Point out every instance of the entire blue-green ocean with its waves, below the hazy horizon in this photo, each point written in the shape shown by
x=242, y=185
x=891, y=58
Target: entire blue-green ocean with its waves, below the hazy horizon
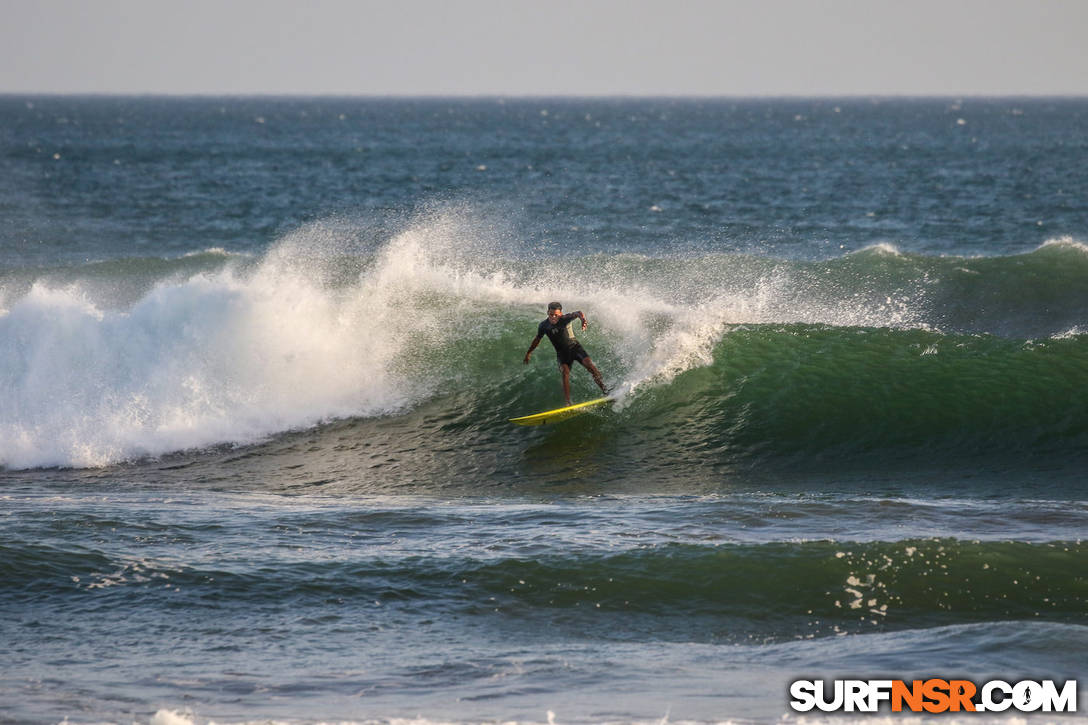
x=258, y=358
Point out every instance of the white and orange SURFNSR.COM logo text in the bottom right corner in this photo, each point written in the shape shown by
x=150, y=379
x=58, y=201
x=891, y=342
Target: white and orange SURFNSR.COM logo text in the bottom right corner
x=933, y=696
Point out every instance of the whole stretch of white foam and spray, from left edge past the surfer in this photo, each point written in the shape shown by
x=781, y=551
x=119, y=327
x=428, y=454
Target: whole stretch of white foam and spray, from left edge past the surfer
x=287, y=342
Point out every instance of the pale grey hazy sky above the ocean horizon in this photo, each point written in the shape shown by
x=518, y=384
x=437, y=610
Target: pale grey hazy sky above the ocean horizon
x=547, y=47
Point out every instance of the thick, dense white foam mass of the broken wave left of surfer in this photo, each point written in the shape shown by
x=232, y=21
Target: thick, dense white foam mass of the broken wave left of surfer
x=219, y=358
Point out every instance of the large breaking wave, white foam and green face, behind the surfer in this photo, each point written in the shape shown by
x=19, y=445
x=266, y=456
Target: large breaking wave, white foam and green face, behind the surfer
x=137, y=359
